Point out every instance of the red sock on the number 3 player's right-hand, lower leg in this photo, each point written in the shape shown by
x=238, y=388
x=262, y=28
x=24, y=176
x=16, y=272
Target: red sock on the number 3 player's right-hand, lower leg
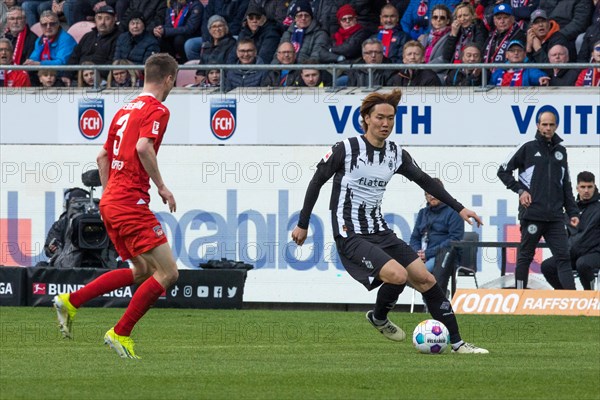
x=143, y=298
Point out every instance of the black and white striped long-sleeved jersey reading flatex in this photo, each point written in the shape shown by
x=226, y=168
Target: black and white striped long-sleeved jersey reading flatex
x=361, y=174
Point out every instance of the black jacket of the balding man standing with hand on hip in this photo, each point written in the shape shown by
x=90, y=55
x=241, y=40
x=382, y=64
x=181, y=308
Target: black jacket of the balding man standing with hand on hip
x=544, y=167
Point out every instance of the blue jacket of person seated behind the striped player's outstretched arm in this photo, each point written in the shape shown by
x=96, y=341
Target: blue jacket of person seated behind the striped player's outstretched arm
x=442, y=225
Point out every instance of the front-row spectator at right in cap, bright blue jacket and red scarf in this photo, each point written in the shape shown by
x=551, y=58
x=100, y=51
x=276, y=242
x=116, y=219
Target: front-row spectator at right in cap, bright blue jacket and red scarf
x=515, y=54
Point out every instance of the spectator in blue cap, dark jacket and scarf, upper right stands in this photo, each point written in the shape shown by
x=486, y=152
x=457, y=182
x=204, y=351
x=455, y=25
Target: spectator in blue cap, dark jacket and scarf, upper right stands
x=505, y=31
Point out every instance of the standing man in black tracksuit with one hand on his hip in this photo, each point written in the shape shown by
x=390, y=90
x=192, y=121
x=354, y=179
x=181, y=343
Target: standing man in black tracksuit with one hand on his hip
x=545, y=191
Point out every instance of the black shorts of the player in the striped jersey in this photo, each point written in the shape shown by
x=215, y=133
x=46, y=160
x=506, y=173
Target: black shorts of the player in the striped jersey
x=364, y=255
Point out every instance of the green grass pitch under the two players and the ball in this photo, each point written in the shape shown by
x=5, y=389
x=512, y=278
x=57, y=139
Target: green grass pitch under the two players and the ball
x=260, y=354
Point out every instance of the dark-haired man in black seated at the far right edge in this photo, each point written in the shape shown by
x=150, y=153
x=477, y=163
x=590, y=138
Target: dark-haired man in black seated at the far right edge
x=584, y=240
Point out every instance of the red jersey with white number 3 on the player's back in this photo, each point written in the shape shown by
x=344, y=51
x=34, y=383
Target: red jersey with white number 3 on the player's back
x=128, y=181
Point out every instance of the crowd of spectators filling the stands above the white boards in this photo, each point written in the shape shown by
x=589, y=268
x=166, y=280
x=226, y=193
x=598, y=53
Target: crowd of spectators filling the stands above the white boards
x=251, y=32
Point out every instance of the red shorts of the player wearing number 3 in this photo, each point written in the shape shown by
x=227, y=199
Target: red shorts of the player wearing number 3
x=133, y=229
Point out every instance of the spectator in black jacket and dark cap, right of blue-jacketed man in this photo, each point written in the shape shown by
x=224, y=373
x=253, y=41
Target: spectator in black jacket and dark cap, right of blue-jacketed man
x=98, y=45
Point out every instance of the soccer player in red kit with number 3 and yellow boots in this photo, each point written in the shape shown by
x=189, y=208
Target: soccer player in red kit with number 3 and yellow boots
x=126, y=163
